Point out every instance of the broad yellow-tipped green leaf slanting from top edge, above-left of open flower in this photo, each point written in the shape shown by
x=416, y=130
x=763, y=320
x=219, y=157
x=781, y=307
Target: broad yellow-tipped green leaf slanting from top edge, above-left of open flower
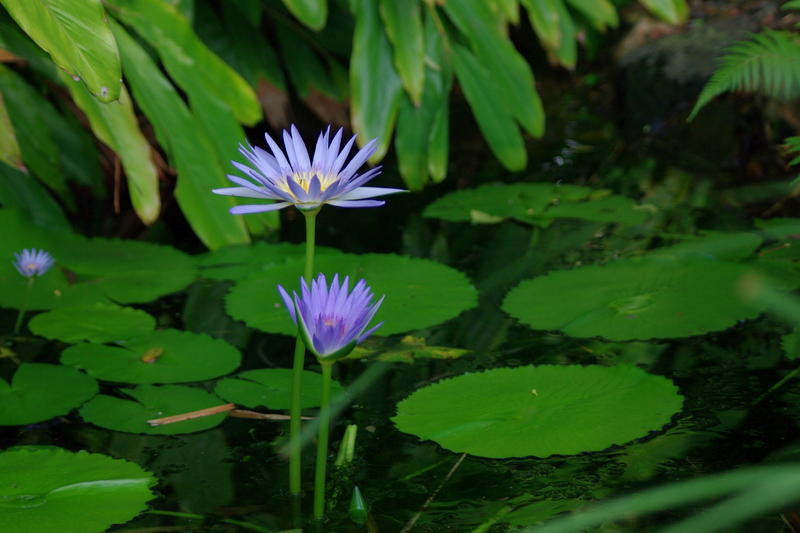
x=187, y=60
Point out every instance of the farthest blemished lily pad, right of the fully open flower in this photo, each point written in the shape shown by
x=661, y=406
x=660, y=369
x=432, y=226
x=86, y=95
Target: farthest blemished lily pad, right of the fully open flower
x=534, y=203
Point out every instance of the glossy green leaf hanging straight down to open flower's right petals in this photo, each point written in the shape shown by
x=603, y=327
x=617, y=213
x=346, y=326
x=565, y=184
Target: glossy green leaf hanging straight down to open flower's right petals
x=375, y=86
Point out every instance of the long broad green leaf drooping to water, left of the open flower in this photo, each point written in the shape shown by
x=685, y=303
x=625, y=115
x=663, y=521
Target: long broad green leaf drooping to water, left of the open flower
x=190, y=151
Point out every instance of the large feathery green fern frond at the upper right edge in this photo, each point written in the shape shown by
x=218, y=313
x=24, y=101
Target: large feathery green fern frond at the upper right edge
x=766, y=62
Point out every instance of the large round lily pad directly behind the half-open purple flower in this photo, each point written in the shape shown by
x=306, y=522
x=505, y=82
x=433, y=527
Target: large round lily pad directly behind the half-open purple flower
x=419, y=293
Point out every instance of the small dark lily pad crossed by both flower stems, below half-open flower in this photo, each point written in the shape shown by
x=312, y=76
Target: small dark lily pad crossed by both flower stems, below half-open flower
x=272, y=388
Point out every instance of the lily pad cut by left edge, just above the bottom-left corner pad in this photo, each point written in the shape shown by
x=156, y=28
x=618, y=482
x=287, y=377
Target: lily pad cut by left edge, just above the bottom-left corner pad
x=40, y=391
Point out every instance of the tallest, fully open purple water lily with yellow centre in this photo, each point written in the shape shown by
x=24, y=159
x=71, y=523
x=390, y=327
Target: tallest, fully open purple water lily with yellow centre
x=306, y=184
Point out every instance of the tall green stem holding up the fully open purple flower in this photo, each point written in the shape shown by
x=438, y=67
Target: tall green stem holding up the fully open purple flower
x=295, y=444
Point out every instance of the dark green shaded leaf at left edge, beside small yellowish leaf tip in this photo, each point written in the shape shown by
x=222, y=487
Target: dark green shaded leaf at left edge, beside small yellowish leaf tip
x=27, y=110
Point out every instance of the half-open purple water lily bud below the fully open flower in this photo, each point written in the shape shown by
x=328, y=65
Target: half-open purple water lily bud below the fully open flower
x=332, y=320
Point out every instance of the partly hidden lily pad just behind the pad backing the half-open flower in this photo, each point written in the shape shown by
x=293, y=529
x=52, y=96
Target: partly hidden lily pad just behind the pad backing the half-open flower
x=241, y=261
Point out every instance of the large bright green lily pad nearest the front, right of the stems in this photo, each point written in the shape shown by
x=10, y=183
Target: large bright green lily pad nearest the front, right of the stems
x=540, y=410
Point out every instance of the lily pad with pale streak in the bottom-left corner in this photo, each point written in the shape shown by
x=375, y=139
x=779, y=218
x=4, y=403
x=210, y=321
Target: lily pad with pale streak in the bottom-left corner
x=51, y=489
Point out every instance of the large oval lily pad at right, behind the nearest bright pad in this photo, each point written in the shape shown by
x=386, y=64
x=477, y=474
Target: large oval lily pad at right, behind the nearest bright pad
x=656, y=297
